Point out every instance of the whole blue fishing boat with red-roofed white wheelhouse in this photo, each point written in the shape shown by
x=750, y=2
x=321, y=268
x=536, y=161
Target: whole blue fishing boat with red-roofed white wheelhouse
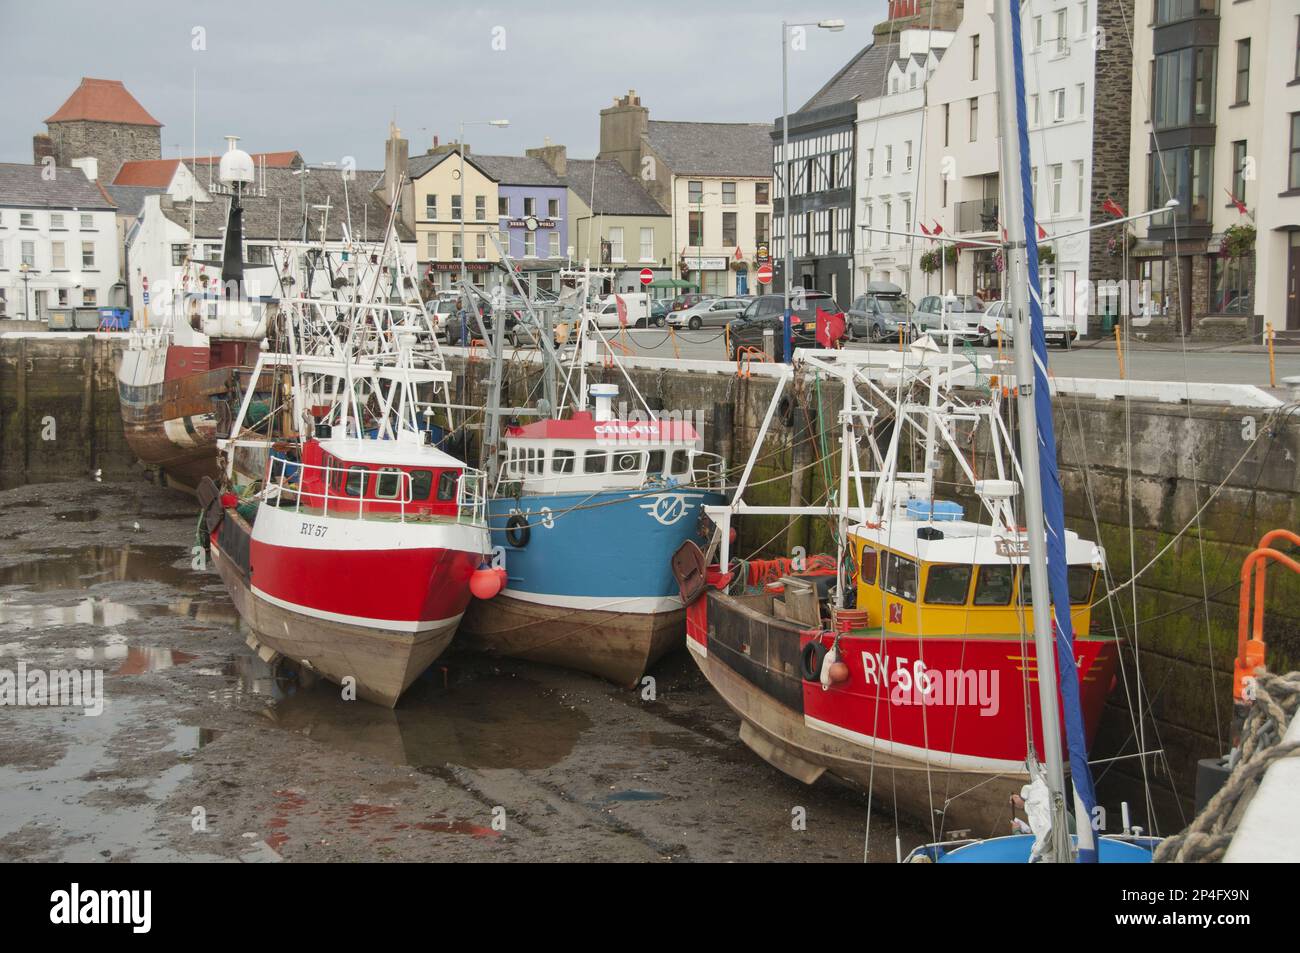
x=587, y=509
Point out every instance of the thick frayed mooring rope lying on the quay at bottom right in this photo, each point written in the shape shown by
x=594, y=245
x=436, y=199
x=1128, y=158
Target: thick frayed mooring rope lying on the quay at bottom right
x=1207, y=839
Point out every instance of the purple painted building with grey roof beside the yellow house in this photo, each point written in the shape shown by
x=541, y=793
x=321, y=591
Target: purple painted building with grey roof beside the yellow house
x=532, y=215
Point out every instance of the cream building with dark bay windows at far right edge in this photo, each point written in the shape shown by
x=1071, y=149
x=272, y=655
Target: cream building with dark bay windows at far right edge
x=1219, y=124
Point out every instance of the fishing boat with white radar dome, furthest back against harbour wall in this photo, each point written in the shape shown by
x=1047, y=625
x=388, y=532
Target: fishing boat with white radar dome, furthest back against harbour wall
x=174, y=376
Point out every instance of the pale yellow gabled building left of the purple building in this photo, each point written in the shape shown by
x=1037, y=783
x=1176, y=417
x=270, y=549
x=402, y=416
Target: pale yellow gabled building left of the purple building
x=436, y=180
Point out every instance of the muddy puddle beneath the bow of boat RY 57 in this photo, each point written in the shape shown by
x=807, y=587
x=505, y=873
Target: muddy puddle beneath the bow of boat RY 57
x=480, y=722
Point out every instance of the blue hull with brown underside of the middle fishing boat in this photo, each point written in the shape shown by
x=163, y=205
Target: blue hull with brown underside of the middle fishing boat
x=592, y=587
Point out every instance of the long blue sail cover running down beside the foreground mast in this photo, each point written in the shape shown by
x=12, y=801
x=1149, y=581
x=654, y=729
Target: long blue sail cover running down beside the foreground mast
x=1054, y=504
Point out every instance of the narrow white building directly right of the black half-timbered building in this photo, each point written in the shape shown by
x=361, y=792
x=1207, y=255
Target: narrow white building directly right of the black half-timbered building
x=890, y=171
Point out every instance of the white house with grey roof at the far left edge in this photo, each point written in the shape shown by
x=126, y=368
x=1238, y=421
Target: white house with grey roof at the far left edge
x=58, y=242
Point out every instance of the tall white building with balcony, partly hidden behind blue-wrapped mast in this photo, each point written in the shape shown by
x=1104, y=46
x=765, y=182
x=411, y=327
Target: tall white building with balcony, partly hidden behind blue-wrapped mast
x=961, y=189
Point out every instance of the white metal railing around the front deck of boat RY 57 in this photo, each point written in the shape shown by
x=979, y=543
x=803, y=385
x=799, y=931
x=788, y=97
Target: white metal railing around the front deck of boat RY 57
x=285, y=488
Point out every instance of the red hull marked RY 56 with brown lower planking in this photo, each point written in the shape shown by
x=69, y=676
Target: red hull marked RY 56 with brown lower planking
x=869, y=737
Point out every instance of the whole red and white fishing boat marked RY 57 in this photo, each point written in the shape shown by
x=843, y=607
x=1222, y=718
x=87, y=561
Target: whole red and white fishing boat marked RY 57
x=354, y=551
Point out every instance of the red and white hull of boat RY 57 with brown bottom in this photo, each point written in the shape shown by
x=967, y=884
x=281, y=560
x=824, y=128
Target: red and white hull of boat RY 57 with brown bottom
x=322, y=608
